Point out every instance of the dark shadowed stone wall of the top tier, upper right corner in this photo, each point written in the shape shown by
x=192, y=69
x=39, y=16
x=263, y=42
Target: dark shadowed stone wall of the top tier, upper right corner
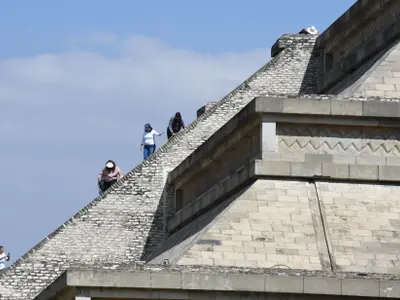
x=362, y=32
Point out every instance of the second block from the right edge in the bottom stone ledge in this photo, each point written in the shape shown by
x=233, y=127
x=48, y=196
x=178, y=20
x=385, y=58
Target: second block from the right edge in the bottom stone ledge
x=361, y=288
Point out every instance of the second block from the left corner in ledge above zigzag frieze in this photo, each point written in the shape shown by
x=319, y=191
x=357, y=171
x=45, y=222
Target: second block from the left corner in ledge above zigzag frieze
x=306, y=106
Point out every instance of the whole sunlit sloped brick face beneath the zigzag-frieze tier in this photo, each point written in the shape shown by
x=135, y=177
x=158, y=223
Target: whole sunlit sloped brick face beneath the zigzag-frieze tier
x=299, y=225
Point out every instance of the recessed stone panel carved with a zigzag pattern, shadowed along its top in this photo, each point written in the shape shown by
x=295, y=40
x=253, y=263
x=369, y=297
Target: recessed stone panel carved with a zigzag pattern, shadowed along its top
x=339, y=144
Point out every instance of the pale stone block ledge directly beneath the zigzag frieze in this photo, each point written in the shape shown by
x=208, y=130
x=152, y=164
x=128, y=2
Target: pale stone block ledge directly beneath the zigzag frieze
x=327, y=170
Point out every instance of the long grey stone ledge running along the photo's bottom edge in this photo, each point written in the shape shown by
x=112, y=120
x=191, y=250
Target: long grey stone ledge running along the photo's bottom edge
x=217, y=281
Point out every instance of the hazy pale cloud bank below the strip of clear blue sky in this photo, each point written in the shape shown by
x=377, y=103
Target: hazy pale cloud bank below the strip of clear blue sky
x=65, y=114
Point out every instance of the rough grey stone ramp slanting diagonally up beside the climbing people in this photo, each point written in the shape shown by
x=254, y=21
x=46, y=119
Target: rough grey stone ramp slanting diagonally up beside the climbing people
x=128, y=220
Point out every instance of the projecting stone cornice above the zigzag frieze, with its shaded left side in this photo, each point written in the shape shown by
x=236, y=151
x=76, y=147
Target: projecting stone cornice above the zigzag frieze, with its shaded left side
x=311, y=110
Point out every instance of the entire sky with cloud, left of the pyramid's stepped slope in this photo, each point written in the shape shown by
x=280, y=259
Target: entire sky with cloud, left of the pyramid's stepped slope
x=78, y=79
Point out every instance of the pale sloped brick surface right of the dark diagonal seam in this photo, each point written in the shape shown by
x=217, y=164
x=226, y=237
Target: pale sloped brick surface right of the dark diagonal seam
x=363, y=226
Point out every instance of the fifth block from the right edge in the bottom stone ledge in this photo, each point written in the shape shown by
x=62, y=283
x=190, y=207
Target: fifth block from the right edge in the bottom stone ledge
x=245, y=282
